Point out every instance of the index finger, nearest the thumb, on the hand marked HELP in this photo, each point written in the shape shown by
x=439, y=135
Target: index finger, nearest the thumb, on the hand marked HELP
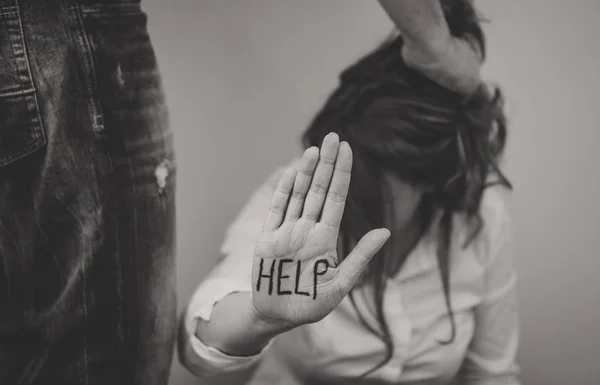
x=335, y=201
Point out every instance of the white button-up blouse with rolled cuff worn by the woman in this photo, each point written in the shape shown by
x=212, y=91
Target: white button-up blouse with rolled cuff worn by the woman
x=483, y=295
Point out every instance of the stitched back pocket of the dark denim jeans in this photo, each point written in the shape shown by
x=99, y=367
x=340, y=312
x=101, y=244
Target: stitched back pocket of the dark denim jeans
x=21, y=130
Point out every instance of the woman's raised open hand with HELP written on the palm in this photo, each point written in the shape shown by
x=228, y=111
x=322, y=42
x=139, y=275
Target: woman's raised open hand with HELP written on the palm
x=296, y=275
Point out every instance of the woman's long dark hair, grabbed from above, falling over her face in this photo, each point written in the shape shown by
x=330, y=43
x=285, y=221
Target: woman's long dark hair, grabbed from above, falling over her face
x=397, y=119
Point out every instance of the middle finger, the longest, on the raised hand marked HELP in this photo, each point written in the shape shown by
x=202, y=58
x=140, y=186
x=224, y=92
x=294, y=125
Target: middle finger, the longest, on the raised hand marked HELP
x=322, y=178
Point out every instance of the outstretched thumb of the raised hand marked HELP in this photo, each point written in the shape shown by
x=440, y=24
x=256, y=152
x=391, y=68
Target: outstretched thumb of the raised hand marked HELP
x=353, y=265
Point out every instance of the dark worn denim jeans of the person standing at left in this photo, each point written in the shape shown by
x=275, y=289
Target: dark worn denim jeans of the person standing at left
x=87, y=187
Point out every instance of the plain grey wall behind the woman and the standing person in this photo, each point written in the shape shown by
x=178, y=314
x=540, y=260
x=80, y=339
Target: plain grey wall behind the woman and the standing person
x=243, y=78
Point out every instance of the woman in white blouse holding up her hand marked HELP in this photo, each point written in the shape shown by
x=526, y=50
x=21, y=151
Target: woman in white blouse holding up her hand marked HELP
x=427, y=297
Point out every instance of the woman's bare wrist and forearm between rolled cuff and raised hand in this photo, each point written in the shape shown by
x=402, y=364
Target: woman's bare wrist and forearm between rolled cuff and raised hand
x=234, y=329
